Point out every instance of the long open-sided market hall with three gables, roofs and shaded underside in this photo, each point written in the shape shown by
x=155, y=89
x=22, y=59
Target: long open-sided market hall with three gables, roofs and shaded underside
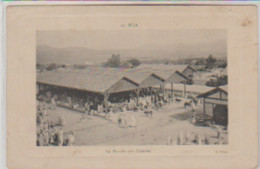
x=101, y=83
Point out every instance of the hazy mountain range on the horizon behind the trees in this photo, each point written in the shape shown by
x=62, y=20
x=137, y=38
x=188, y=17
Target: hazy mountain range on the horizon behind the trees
x=80, y=55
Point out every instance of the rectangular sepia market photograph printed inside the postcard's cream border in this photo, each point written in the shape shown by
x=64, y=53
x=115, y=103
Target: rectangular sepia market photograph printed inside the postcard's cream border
x=132, y=87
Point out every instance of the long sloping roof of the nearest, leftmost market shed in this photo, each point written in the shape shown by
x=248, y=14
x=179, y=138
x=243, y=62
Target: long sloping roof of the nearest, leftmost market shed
x=98, y=80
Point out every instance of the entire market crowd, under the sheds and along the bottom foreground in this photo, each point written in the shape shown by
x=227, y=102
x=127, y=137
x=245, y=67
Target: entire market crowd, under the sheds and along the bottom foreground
x=116, y=109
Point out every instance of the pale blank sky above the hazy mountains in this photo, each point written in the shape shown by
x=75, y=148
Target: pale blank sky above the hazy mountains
x=139, y=43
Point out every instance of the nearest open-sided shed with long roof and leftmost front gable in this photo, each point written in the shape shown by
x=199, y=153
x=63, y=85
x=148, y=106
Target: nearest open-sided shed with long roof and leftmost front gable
x=97, y=82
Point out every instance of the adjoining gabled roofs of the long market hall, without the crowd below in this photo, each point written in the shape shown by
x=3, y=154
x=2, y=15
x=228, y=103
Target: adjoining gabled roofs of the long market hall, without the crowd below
x=103, y=79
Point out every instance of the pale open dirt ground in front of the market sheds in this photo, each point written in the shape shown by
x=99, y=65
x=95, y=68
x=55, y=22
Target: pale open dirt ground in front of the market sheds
x=167, y=122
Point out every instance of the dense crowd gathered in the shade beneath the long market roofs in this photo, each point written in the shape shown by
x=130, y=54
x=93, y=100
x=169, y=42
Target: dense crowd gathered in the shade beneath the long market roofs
x=94, y=103
